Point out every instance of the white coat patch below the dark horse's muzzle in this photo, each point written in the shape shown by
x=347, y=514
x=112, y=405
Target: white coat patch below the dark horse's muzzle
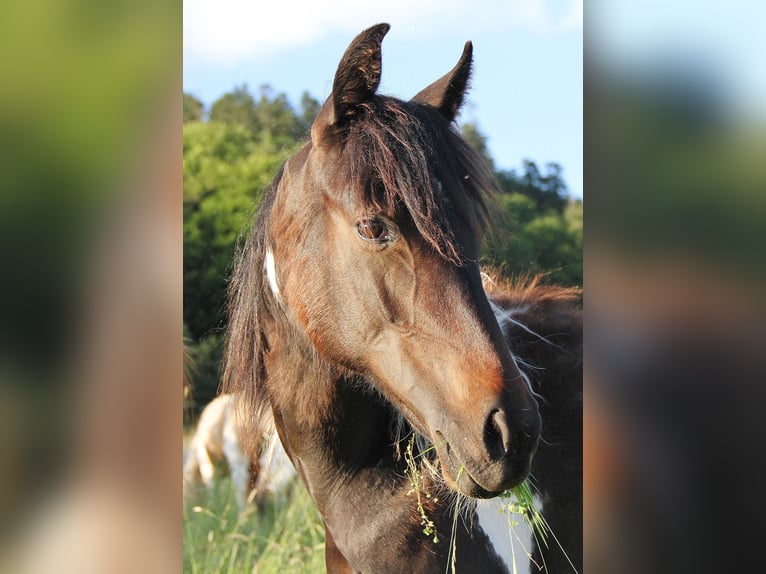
x=514, y=544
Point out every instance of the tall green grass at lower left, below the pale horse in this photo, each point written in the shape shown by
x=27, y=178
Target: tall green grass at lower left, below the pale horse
x=285, y=536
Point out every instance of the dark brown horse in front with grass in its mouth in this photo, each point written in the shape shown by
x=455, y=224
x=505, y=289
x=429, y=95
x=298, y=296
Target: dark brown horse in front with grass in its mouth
x=359, y=321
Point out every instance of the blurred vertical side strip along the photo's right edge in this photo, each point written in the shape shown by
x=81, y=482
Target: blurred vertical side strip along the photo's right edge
x=675, y=111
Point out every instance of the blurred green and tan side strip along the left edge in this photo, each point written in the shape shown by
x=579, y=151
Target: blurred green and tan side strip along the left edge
x=90, y=288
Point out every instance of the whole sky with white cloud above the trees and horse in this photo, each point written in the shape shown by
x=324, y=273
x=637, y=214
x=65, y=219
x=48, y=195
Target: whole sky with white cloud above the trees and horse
x=526, y=92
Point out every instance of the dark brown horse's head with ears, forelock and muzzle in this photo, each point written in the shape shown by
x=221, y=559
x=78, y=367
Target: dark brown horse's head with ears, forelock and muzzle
x=373, y=248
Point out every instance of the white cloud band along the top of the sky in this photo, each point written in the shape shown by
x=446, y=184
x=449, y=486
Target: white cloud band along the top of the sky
x=230, y=30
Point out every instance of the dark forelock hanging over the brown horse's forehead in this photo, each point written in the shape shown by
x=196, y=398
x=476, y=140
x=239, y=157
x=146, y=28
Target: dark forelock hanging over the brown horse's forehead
x=406, y=154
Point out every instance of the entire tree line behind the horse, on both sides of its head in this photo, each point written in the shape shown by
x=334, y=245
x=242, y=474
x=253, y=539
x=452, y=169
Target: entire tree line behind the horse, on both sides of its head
x=231, y=152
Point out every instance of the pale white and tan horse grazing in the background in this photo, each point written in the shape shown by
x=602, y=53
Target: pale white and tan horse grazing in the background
x=217, y=438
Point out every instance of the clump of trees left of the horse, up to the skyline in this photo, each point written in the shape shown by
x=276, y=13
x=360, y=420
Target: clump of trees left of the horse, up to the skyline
x=228, y=162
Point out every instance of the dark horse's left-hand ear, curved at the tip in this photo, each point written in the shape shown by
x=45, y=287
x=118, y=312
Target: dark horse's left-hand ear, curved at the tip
x=356, y=80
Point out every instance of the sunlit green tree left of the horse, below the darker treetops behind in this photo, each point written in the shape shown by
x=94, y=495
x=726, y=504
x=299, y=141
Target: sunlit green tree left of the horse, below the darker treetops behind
x=226, y=170
